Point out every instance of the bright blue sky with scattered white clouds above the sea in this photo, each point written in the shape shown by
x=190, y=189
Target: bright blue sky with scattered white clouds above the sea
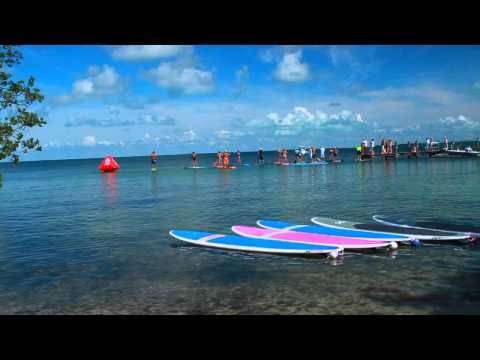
x=175, y=99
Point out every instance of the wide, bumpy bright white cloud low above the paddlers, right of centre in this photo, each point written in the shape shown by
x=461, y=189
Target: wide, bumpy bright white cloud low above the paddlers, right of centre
x=301, y=120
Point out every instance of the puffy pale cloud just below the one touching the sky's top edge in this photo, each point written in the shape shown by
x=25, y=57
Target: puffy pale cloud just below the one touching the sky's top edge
x=181, y=80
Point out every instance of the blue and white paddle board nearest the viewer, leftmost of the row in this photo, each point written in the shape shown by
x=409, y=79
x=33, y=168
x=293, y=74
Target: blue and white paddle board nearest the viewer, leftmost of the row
x=232, y=242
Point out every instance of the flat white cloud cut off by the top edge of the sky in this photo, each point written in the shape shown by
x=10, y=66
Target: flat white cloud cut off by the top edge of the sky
x=148, y=52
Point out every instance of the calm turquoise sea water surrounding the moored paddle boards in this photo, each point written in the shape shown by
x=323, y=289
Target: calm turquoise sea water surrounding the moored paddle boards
x=75, y=241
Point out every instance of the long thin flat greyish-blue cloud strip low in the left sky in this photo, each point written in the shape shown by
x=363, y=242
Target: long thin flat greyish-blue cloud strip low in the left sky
x=147, y=119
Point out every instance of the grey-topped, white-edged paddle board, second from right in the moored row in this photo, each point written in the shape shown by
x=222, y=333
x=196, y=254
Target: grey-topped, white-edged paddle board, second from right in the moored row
x=423, y=235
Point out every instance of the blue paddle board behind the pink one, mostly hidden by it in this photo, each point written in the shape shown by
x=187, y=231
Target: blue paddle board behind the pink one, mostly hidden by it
x=318, y=229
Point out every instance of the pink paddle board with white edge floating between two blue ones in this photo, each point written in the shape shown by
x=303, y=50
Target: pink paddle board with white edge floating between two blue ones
x=311, y=238
